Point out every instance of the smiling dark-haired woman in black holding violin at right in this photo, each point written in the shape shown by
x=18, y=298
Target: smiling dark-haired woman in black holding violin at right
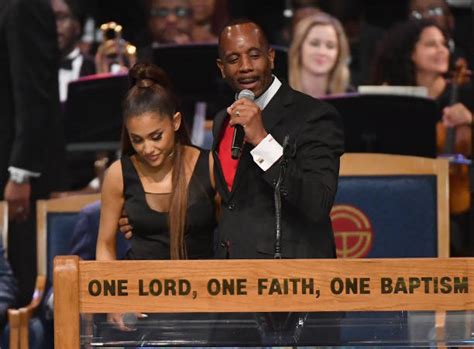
x=415, y=53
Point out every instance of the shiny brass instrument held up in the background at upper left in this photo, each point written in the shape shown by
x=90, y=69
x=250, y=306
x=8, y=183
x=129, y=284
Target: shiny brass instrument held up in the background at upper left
x=114, y=54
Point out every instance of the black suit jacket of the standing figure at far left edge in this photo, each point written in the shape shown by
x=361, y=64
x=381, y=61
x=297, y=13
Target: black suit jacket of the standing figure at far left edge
x=30, y=129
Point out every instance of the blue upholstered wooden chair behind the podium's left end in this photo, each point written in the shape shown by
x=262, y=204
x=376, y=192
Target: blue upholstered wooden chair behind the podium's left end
x=56, y=219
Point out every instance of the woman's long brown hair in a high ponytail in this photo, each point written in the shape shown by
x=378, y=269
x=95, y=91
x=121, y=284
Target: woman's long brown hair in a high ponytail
x=151, y=91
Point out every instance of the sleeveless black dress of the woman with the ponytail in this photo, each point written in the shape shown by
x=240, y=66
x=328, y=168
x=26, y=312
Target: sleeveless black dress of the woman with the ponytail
x=151, y=238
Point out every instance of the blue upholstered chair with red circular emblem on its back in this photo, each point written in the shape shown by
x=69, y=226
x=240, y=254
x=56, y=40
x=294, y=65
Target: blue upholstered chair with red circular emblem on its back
x=390, y=206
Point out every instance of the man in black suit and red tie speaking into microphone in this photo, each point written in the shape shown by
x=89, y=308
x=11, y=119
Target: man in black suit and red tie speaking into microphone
x=247, y=219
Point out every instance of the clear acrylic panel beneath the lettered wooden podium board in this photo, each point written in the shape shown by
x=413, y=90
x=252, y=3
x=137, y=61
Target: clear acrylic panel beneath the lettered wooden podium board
x=331, y=329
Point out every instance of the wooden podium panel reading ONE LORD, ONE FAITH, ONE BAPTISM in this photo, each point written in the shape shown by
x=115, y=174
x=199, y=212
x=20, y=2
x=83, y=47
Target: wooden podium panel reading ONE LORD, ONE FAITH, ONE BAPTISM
x=276, y=285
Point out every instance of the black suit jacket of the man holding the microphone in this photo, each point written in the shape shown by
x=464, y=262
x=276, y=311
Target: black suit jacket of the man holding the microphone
x=247, y=219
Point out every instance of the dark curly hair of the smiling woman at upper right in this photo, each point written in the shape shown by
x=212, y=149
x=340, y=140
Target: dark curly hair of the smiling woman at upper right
x=393, y=63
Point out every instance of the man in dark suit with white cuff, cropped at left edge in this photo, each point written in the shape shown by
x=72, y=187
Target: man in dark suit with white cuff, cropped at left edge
x=30, y=129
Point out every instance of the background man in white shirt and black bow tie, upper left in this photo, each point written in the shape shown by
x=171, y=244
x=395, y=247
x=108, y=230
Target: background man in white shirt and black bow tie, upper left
x=74, y=64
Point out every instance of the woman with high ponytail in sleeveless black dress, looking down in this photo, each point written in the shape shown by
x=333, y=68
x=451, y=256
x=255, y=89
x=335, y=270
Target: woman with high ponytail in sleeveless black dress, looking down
x=164, y=184
